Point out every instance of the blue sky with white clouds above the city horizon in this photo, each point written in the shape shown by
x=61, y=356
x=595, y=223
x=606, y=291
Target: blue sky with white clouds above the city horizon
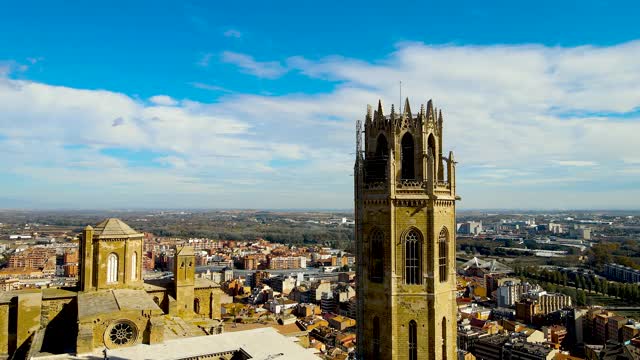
x=253, y=105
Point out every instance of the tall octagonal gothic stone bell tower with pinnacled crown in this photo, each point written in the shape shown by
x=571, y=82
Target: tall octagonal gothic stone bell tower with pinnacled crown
x=405, y=198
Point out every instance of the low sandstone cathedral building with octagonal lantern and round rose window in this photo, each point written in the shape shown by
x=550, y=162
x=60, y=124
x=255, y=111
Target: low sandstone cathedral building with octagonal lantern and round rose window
x=113, y=306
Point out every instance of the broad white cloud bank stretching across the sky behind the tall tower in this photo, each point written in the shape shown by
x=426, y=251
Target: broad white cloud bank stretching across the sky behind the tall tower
x=545, y=121
